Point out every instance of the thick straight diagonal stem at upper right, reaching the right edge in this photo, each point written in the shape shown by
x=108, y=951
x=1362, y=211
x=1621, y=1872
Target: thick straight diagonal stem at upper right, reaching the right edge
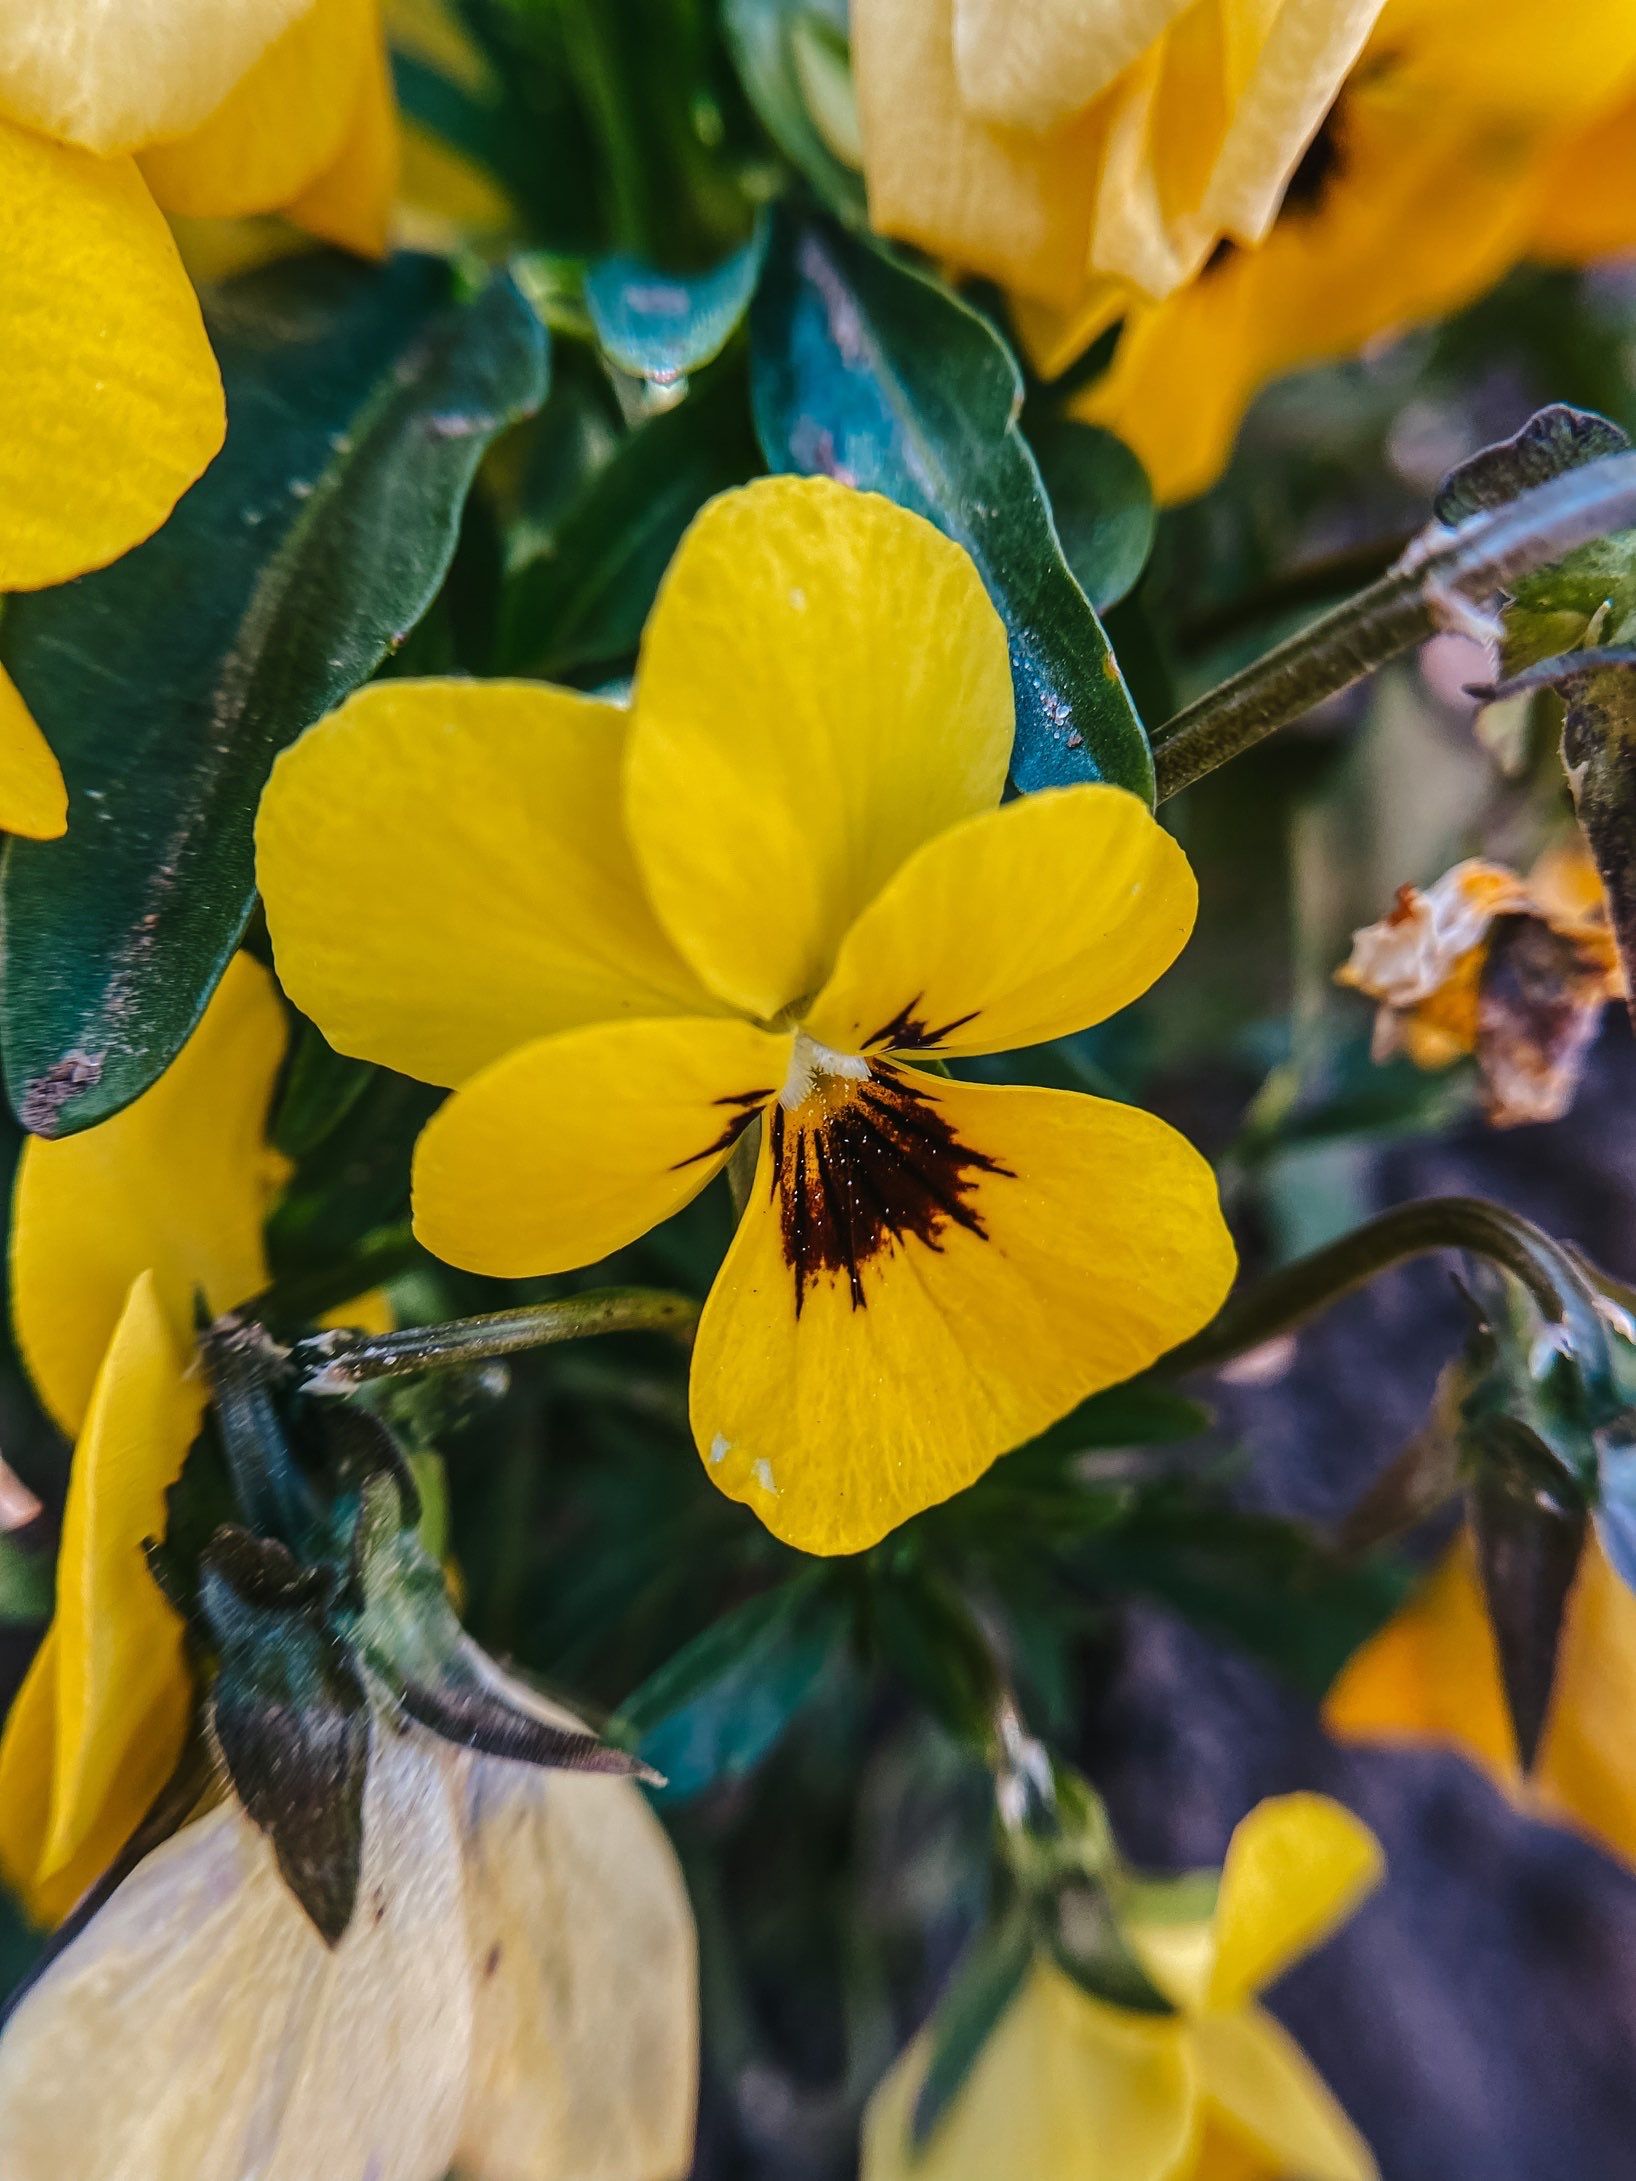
x=1441, y=575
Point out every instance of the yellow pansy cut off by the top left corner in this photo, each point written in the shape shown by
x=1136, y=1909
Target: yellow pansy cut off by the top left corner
x=110, y=119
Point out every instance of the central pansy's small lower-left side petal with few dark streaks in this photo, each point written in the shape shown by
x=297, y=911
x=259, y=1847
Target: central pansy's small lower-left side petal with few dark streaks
x=575, y=1146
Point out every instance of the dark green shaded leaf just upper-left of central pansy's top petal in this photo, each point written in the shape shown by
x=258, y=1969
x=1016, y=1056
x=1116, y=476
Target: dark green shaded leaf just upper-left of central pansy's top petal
x=581, y=605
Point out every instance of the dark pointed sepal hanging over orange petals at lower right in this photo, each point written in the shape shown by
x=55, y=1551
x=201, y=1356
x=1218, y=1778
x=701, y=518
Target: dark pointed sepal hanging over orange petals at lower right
x=1530, y=1530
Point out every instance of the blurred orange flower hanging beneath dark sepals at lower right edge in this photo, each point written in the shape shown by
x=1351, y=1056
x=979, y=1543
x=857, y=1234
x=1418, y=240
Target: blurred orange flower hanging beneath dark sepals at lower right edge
x=1432, y=1678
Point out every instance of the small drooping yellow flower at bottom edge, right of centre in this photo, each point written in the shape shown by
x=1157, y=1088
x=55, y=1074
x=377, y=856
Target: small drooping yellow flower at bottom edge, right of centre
x=1076, y=2090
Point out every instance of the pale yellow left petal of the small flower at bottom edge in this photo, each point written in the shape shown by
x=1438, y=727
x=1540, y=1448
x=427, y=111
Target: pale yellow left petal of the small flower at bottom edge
x=1066, y=2090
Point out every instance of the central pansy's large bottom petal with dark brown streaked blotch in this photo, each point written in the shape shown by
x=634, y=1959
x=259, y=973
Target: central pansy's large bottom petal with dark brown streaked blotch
x=928, y=1275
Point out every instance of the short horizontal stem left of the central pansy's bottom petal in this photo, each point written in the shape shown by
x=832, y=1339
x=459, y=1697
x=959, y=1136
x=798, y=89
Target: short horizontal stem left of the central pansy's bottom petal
x=339, y=1362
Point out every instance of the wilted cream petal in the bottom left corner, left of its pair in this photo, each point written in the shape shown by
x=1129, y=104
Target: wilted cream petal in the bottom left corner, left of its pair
x=200, y=2027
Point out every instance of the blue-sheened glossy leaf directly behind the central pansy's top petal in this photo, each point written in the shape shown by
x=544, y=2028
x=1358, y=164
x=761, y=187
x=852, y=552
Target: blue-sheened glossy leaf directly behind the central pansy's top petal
x=878, y=376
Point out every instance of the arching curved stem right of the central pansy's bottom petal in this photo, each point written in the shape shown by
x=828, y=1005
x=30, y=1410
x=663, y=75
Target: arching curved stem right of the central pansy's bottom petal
x=1301, y=1292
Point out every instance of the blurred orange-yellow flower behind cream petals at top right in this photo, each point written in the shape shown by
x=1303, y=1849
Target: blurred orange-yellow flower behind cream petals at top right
x=1463, y=143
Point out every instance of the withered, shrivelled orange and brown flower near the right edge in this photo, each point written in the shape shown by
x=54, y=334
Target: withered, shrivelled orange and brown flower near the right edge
x=1513, y=972
